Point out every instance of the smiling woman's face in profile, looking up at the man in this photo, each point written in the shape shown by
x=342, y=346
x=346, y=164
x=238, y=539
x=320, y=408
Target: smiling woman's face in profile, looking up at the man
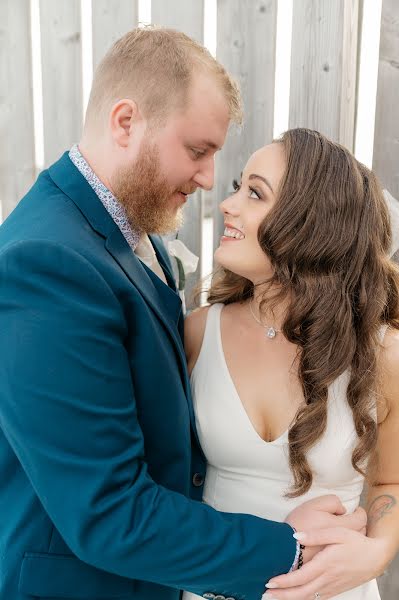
x=239, y=250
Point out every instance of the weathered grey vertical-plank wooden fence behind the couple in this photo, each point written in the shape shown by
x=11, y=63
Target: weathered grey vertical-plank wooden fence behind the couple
x=323, y=85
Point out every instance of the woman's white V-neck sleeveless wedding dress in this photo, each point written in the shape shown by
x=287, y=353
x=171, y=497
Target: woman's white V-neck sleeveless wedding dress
x=245, y=474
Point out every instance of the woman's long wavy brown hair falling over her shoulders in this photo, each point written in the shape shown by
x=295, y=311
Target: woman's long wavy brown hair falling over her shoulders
x=328, y=237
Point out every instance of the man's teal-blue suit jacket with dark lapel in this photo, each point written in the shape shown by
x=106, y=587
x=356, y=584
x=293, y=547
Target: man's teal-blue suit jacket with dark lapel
x=98, y=451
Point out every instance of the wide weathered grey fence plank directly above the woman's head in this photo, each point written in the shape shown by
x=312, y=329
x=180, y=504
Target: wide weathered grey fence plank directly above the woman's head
x=323, y=67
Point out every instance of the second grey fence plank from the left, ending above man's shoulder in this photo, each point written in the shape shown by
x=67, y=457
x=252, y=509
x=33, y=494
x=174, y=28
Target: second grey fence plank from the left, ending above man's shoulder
x=62, y=75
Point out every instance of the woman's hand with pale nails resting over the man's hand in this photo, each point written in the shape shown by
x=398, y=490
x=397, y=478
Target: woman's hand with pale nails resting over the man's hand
x=348, y=559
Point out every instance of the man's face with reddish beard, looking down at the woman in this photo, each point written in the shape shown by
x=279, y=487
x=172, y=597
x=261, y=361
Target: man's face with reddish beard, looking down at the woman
x=174, y=160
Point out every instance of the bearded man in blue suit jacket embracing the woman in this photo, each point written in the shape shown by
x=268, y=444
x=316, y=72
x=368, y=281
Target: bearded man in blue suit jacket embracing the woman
x=99, y=454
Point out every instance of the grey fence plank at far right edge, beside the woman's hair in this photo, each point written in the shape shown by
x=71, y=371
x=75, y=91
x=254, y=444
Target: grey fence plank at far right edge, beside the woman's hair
x=386, y=163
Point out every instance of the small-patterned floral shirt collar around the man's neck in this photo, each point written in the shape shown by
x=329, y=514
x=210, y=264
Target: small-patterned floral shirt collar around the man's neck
x=111, y=204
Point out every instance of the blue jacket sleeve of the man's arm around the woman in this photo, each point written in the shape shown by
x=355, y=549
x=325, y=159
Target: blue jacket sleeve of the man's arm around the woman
x=68, y=411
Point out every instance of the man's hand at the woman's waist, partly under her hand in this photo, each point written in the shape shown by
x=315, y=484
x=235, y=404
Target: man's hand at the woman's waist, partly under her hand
x=325, y=512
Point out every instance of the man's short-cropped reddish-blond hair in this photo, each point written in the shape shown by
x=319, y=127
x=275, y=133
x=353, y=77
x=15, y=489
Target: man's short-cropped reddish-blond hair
x=154, y=67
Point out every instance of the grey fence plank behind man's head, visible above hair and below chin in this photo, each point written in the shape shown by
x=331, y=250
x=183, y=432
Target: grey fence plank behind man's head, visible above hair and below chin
x=187, y=17
